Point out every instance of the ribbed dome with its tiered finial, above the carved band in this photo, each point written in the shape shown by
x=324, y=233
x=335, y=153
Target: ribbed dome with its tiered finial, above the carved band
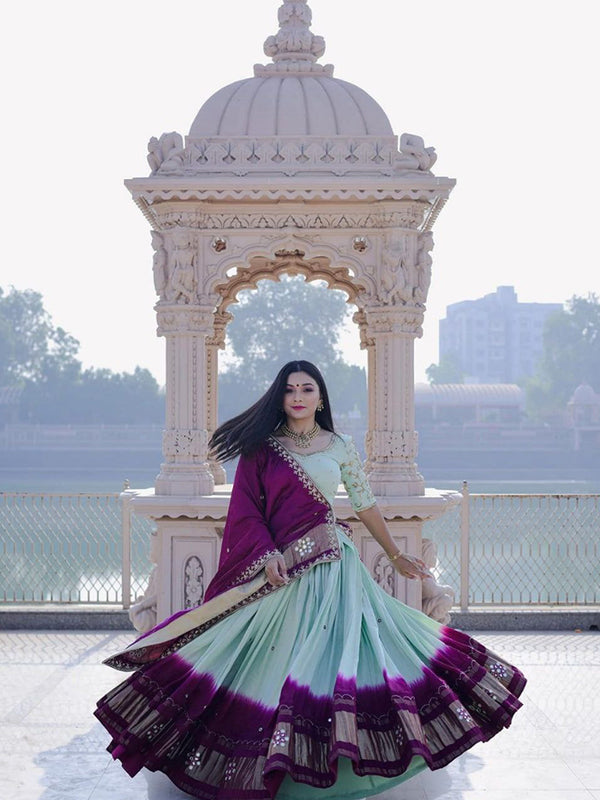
x=294, y=95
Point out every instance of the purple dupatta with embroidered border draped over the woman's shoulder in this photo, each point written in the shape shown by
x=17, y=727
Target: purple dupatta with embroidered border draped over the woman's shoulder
x=275, y=508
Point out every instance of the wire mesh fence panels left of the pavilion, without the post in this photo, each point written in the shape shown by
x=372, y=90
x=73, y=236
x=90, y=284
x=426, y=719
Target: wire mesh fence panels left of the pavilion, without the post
x=67, y=548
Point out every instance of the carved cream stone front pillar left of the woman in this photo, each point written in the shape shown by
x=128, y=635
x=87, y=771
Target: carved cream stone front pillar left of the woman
x=185, y=470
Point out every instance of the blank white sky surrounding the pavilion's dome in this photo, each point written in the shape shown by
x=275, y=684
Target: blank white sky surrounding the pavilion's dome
x=507, y=92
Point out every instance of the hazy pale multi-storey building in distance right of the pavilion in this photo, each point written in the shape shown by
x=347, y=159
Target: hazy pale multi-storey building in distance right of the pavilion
x=495, y=339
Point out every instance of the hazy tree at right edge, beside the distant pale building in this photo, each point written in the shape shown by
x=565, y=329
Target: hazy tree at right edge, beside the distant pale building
x=571, y=356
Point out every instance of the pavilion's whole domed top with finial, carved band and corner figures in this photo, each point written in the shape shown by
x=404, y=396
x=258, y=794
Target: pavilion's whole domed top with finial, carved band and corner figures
x=292, y=118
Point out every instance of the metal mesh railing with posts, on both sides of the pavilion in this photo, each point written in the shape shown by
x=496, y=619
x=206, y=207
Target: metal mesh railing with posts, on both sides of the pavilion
x=494, y=549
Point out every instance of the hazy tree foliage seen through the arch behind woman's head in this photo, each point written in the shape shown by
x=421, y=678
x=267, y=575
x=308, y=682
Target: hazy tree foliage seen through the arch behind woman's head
x=279, y=322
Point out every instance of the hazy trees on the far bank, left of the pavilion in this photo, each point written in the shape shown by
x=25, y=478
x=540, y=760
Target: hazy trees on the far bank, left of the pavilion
x=42, y=359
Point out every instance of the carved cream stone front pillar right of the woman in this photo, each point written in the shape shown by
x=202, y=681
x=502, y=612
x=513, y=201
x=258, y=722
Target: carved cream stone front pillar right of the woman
x=392, y=437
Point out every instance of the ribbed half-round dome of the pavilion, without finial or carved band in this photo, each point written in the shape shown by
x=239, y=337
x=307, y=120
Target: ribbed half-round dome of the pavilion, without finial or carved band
x=291, y=105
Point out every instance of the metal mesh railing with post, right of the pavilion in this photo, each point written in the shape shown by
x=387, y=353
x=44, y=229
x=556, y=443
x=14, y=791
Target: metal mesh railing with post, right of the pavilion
x=520, y=549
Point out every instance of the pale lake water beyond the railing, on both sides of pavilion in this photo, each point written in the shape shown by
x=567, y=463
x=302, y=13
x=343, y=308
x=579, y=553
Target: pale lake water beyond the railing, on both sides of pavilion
x=522, y=552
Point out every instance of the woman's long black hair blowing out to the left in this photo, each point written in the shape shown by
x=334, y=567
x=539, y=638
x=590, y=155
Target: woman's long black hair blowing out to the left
x=243, y=435
